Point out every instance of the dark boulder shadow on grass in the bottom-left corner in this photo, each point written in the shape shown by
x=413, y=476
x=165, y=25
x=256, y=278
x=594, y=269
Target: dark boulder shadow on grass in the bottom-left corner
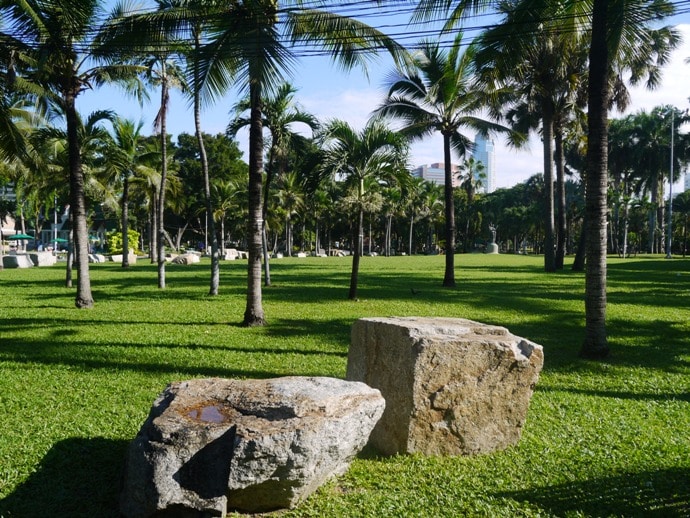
x=77, y=477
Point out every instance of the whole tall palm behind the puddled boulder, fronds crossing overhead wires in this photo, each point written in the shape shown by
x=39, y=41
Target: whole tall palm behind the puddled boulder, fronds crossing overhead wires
x=247, y=45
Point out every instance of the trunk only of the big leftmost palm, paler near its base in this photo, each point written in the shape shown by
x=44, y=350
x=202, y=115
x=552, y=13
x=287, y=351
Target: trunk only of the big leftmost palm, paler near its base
x=84, y=298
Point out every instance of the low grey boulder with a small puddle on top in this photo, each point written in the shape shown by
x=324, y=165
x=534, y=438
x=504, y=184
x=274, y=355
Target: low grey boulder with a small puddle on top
x=210, y=445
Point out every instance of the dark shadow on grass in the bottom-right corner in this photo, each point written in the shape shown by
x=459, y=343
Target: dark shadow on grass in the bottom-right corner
x=661, y=493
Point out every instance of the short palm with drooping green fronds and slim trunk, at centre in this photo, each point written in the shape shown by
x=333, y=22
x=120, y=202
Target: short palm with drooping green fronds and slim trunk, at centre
x=376, y=152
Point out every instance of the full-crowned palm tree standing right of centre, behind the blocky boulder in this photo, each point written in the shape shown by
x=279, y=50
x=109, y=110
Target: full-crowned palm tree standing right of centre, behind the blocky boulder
x=438, y=94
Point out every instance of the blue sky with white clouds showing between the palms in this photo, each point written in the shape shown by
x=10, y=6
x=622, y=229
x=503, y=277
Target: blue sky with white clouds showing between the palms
x=328, y=92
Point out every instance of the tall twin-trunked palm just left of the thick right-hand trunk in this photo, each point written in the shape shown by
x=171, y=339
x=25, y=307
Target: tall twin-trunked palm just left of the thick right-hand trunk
x=544, y=64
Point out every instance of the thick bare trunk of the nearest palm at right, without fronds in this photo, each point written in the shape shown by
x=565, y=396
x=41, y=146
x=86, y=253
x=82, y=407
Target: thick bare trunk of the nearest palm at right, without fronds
x=596, y=344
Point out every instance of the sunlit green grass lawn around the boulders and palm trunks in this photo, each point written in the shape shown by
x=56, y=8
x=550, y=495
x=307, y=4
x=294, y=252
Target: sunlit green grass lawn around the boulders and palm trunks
x=602, y=438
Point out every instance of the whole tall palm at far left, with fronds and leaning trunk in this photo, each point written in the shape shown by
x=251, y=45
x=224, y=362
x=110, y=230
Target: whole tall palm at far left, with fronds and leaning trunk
x=58, y=37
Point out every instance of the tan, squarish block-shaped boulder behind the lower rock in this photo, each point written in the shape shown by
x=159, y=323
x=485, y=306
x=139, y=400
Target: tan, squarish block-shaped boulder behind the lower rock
x=452, y=386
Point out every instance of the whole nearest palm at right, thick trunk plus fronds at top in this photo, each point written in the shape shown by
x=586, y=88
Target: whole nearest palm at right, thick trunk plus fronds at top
x=619, y=29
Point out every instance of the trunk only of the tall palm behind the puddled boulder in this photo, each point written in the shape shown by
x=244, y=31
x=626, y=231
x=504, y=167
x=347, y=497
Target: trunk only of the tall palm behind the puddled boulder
x=254, y=313
